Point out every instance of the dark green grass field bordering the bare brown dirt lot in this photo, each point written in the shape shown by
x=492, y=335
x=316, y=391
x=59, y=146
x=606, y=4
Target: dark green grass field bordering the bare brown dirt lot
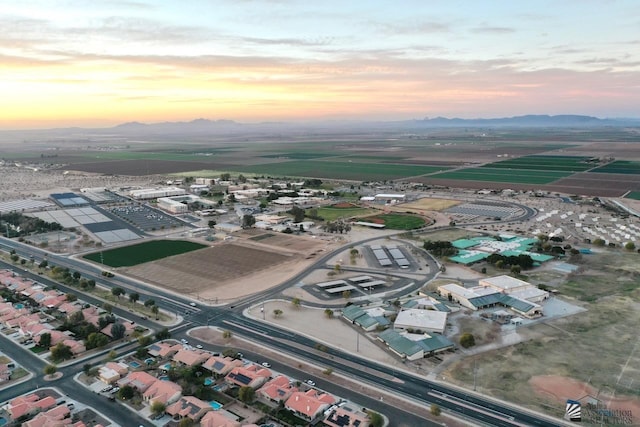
x=143, y=252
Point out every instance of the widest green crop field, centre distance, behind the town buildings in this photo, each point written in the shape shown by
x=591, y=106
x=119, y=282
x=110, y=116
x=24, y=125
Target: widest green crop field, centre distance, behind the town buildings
x=340, y=170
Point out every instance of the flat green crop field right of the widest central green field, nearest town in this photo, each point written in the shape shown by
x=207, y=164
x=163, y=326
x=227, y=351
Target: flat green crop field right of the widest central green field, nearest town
x=517, y=176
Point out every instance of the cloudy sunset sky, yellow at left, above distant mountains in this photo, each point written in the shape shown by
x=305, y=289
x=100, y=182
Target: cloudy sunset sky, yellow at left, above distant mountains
x=104, y=62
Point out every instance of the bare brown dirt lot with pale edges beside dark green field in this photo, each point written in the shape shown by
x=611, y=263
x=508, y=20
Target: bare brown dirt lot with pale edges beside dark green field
x=230, y=270
